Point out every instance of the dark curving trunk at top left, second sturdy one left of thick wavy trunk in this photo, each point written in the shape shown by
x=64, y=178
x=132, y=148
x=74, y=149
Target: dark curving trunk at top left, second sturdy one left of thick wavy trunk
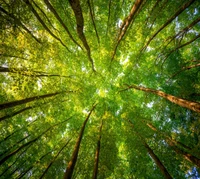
x=43, y=24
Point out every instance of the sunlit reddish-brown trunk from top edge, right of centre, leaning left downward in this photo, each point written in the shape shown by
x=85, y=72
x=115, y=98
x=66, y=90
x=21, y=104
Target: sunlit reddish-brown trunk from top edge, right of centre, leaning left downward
x=126, y=24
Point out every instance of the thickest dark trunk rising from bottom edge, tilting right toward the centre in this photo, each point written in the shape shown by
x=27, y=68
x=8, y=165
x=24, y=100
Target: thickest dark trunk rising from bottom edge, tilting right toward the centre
x=70, y=167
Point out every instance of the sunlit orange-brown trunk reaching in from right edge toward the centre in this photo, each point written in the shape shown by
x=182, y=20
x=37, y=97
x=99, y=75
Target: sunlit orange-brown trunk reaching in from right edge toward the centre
x=195, y=106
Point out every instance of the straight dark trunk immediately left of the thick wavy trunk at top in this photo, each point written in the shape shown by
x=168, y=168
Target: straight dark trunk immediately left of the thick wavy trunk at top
x=49, y=5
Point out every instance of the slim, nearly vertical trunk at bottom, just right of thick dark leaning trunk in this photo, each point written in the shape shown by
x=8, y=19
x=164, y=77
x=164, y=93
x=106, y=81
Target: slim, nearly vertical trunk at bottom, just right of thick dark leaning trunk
x=95, y=171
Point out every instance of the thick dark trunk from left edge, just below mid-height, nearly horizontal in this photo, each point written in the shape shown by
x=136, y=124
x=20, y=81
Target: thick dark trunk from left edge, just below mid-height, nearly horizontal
x=27, y=100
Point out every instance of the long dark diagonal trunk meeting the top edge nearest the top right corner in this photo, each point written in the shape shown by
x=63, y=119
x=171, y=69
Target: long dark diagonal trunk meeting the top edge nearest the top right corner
x=177, y=13
